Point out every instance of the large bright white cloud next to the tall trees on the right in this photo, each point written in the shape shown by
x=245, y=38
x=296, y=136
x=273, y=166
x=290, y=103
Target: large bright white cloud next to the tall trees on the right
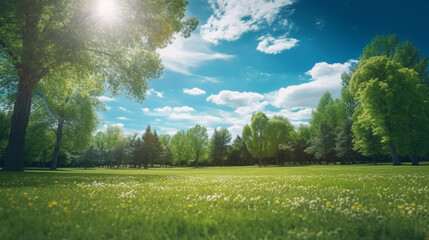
x=324, y=77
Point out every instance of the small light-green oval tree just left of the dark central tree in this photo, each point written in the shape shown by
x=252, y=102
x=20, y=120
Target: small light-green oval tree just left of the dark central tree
x=198, y=141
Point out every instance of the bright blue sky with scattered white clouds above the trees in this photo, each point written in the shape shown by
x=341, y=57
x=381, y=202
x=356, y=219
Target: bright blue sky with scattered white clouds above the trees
x=275, y=56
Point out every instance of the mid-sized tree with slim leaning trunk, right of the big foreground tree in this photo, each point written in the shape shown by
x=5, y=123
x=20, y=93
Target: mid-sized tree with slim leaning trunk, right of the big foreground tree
x=70, y=106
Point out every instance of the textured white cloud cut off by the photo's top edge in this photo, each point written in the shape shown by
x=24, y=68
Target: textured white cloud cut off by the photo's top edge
x=232, y=18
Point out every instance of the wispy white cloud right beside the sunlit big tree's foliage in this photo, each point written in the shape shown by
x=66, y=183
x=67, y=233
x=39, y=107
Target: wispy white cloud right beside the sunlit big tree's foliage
x=184, y=54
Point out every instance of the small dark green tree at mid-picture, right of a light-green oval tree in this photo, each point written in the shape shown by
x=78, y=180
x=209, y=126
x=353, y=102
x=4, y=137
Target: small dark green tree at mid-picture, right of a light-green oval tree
x=219, y=145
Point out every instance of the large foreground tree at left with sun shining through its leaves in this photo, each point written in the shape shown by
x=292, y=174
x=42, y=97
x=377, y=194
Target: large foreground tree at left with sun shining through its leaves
x=38, y=37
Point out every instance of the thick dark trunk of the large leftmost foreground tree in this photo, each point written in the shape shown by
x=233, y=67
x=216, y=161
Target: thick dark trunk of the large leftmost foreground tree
x=15, y=151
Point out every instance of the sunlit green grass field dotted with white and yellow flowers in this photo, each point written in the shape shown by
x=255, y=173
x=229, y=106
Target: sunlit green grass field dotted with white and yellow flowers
x=309, y=202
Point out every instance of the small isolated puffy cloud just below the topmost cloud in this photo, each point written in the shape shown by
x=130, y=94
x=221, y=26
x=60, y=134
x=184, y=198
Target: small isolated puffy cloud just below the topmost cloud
x=273, y=45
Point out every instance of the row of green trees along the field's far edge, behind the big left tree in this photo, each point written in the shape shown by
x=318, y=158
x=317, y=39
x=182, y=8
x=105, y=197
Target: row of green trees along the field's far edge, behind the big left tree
x=382, y=115
